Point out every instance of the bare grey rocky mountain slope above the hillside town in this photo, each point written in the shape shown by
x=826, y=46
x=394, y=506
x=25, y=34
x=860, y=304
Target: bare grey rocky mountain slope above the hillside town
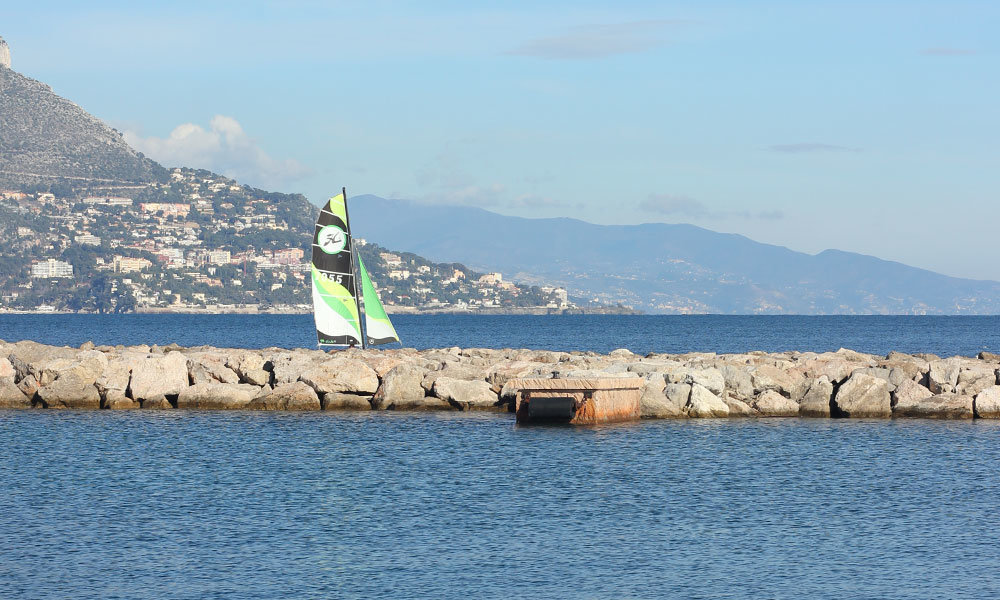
x=47, y=139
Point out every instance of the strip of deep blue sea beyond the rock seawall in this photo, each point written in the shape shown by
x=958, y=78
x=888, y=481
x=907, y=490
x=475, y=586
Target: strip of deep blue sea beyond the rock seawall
x=945, y=336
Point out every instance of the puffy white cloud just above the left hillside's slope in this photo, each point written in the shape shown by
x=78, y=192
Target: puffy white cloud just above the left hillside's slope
x=224, y=148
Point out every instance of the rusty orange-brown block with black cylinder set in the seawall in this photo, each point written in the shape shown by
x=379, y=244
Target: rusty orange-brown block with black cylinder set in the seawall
x=578, y=400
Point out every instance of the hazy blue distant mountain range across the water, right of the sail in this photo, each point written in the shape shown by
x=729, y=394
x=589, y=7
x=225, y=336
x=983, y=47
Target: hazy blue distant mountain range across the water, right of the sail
x=668, y=268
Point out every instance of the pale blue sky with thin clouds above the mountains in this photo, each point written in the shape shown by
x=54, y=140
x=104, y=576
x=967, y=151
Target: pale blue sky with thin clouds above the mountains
x=870, y=127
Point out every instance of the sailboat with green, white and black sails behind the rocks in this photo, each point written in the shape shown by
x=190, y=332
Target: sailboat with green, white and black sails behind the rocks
x=347, y=308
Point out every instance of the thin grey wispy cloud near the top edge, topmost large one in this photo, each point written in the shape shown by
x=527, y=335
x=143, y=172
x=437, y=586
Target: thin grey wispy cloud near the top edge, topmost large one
x=598, y=41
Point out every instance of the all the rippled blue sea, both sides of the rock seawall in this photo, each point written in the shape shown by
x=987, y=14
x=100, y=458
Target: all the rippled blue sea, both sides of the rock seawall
x=189, y=504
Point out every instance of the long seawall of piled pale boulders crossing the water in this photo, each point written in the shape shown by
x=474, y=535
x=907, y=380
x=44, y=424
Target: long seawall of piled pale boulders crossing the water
x=696, y=385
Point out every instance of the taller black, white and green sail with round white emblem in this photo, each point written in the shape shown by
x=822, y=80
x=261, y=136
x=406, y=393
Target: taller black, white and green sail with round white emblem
x=334, y=303
